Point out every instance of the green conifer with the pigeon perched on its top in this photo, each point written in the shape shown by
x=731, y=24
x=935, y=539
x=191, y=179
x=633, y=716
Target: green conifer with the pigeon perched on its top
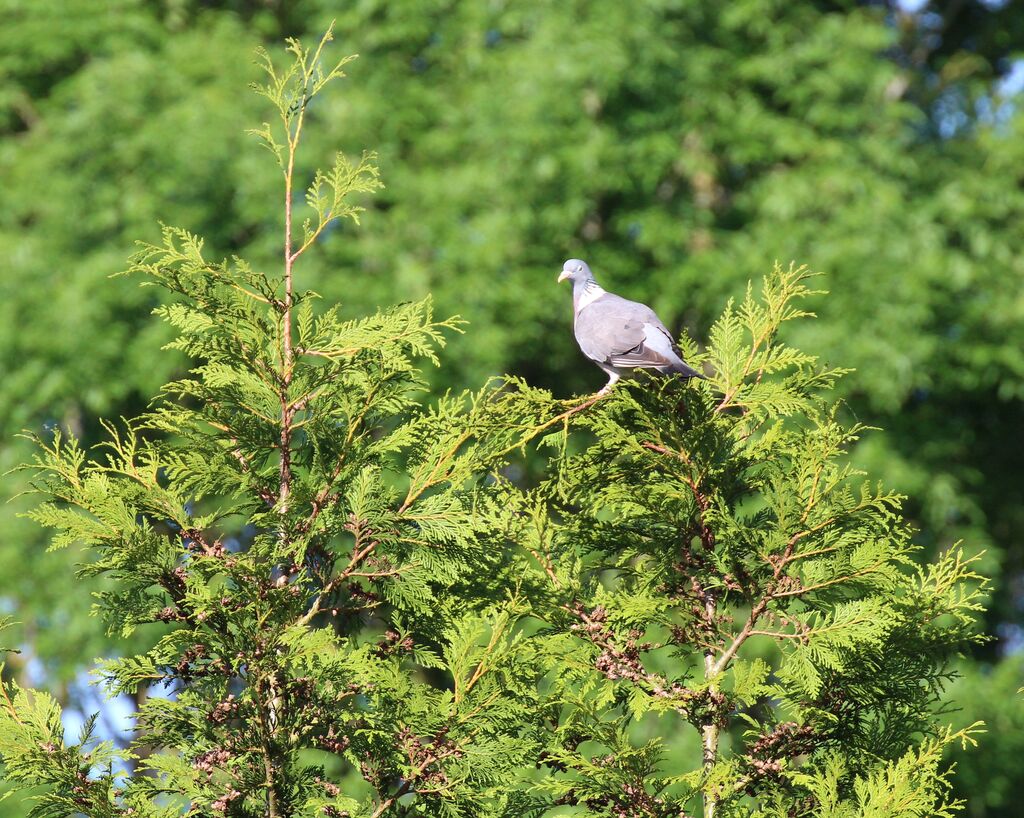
x=738, y=617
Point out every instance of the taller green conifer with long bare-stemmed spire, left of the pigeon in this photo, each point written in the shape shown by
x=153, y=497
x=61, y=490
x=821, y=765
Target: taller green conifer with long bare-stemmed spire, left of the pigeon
x=301, y=541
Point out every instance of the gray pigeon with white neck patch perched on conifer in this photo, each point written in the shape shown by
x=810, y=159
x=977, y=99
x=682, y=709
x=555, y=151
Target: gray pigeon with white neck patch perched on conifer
x=619, y=335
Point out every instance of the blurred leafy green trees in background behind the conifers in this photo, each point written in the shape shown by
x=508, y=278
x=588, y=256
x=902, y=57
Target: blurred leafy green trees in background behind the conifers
x=678, y=146
